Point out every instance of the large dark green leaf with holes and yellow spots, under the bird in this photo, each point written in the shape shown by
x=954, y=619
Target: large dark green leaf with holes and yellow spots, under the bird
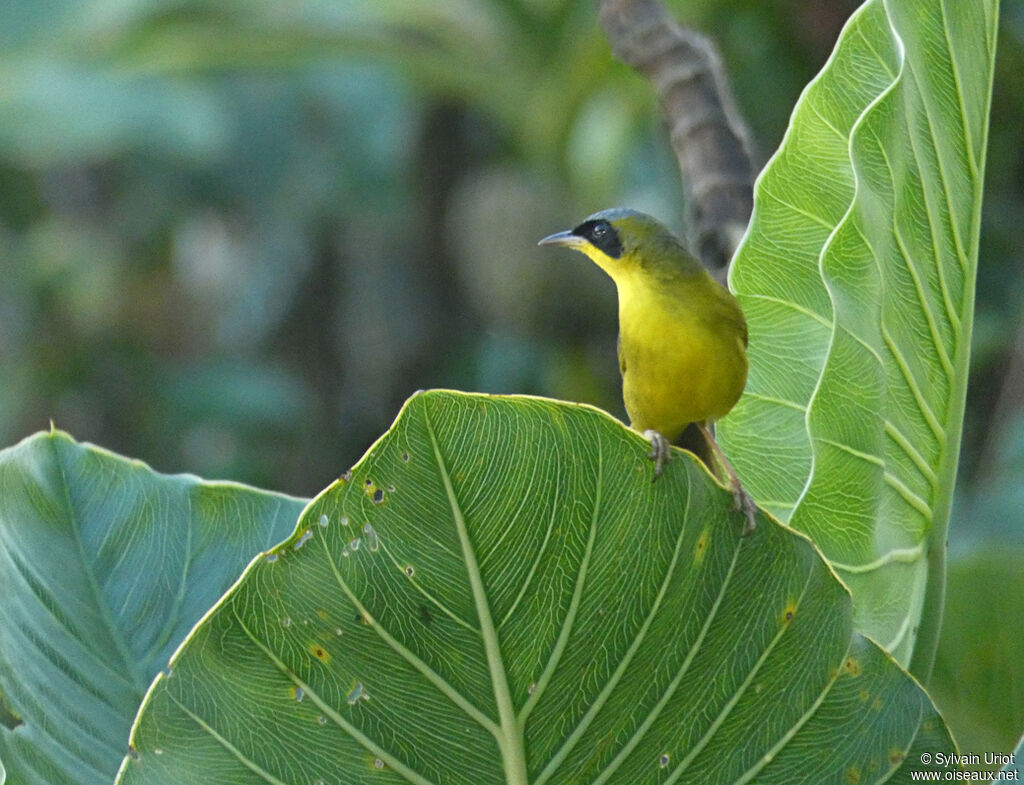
x=499, y=593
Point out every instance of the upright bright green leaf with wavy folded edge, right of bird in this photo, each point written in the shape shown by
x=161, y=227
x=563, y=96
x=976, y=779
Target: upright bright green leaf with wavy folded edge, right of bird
x=858, y=279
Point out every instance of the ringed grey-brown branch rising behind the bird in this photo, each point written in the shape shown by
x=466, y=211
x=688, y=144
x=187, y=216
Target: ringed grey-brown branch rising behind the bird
x=708, y=135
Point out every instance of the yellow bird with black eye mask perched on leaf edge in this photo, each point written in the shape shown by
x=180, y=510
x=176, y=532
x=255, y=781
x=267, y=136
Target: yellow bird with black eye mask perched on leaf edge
x=682, y=336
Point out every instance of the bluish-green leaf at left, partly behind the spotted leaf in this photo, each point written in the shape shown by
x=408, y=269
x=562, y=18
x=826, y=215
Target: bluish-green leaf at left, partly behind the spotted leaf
x=105, y=568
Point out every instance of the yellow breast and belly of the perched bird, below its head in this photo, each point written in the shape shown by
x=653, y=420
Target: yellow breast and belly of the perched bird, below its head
x=684, y=359
